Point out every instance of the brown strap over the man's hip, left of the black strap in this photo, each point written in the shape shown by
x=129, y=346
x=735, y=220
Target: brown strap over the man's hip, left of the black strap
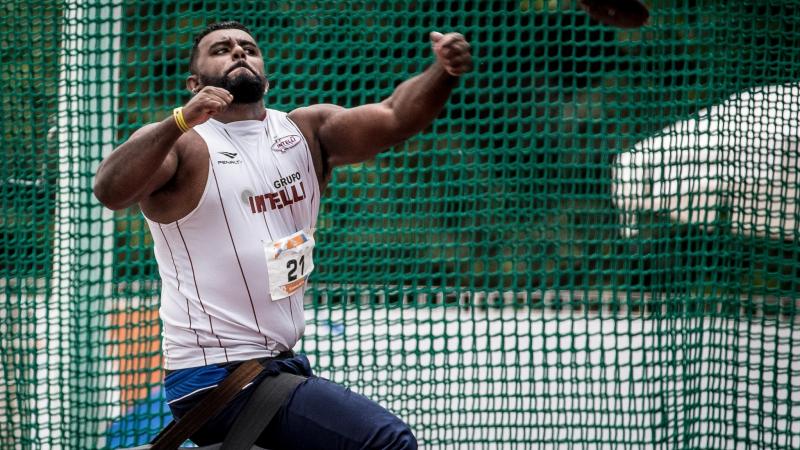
x=212, y=404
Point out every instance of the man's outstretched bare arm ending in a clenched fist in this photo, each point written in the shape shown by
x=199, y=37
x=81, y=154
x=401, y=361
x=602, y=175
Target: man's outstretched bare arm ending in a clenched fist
x=347, y=136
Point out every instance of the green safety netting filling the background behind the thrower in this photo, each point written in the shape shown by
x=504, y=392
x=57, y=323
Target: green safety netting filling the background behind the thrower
x=489, y=281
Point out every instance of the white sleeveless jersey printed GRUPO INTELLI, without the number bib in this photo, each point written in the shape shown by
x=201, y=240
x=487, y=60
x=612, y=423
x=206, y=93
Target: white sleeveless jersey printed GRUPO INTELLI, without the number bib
x=215, y=300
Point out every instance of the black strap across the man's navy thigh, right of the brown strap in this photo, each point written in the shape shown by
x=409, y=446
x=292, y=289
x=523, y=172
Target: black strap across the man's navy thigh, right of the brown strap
x=262, y=406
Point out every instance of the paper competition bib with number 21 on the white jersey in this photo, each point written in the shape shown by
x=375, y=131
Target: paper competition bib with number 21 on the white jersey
x=289, y=261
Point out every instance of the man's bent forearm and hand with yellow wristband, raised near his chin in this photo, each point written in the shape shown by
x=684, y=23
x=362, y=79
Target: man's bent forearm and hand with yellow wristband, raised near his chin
x=148, y=159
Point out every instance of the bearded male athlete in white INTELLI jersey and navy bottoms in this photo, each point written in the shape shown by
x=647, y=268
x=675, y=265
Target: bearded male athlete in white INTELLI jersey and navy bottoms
x=231, y=191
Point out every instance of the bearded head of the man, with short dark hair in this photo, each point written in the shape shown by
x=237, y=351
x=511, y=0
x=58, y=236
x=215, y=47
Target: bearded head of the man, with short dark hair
x=231, y=59
